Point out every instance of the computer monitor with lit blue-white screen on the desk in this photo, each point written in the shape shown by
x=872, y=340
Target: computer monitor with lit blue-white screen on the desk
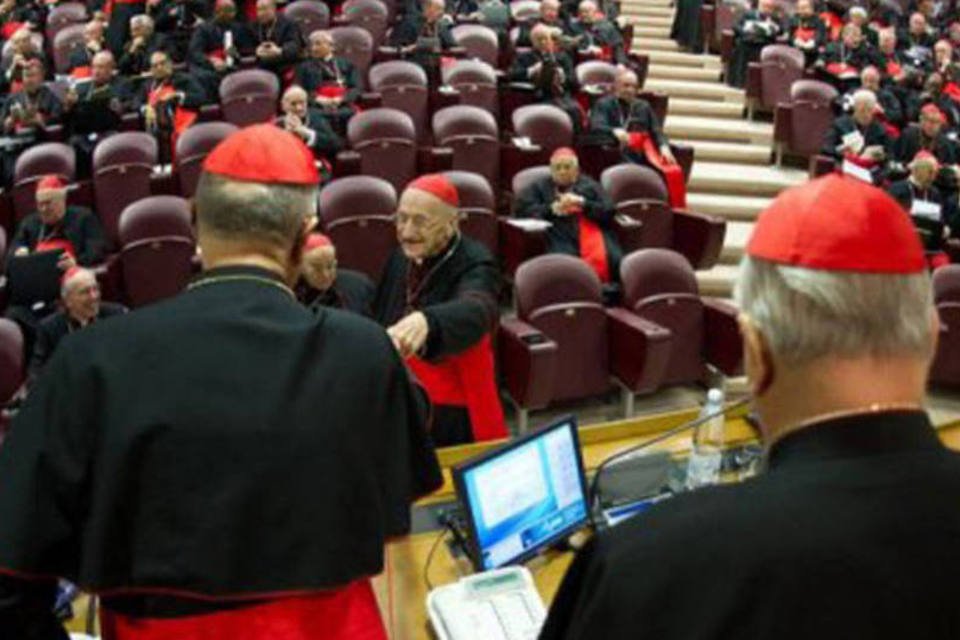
x=523, y=496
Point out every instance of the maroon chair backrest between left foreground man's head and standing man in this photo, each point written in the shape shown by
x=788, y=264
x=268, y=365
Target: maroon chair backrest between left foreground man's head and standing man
x=357, y=213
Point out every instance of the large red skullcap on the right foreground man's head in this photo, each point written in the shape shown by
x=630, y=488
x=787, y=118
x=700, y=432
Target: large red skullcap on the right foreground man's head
x=837, y=223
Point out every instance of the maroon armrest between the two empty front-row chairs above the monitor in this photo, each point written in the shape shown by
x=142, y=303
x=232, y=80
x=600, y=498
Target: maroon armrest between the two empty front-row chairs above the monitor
x=639, y=350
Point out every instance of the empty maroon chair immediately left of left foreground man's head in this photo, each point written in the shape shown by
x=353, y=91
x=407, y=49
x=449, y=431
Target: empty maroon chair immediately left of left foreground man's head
x=157, y=249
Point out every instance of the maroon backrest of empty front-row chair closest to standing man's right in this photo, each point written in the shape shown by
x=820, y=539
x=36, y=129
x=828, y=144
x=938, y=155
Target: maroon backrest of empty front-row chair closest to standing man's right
x=561, y=296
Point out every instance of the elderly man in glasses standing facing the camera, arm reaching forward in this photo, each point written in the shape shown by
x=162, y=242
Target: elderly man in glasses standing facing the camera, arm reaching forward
x=438, y=298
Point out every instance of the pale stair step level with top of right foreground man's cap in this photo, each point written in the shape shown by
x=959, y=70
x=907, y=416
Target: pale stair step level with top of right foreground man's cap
x=743, y=179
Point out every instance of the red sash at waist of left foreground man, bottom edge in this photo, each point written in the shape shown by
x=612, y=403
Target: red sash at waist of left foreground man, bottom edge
x=350, y=613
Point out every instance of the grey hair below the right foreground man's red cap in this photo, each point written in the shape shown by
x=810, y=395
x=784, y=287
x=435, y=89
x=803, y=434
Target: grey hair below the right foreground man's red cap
x=807, y=314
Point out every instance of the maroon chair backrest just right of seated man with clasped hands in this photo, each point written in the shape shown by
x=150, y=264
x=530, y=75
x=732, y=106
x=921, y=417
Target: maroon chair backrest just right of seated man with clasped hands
x=639, y=192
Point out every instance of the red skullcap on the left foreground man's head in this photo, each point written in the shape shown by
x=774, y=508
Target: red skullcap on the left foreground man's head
x=263, y=153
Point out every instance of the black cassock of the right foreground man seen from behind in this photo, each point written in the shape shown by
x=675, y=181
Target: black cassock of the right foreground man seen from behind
x=852, y=532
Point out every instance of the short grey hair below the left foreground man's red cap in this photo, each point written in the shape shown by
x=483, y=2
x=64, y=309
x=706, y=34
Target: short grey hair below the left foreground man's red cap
x=253, y=211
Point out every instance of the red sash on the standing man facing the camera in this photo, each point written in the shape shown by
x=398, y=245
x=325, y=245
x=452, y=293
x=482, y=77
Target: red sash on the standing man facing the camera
x=466, y=379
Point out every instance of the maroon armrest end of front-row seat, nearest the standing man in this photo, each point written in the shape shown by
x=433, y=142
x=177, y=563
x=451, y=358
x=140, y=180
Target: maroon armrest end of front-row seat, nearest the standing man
x=528, y=363
